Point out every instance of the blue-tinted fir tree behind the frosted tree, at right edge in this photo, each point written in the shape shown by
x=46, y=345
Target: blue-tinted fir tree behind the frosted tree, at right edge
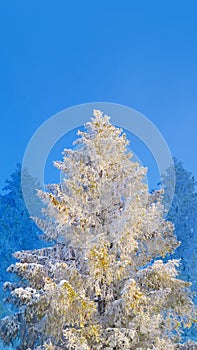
x=183, y=214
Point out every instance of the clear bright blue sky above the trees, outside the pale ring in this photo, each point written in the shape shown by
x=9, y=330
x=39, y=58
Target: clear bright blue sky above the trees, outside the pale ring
x=56, y=54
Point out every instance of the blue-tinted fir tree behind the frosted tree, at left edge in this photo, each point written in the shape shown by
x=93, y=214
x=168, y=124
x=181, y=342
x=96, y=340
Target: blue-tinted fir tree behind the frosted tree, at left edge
x=17, y=230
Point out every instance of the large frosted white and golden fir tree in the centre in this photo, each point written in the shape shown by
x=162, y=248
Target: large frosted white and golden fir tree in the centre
x=103, y=285
